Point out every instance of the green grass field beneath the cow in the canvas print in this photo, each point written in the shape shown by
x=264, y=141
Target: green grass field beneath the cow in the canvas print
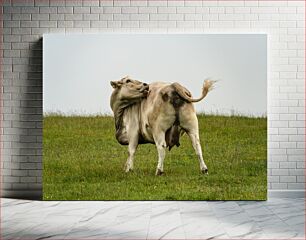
x=83, y=161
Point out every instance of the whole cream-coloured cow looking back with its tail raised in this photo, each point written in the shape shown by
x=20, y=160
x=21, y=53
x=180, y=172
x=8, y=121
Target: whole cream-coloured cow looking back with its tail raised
x=157, y=113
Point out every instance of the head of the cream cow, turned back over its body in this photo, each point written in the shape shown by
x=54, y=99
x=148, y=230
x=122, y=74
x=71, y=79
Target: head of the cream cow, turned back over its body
x=128, y=89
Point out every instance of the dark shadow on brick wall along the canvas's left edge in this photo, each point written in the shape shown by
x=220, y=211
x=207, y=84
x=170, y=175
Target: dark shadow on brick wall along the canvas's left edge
x=31, y=116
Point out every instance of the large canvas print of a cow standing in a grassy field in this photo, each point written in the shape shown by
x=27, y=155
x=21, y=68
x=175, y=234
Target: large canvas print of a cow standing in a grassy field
x=154, y=117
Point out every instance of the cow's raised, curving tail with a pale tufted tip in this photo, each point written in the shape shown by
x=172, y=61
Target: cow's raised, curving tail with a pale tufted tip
x=186, y=95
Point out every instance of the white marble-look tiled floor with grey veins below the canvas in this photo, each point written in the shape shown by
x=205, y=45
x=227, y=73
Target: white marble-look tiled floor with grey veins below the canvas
x=273, y=219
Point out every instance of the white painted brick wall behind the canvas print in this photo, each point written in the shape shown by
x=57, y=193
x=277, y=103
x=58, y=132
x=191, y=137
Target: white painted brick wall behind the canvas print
x=24, y=22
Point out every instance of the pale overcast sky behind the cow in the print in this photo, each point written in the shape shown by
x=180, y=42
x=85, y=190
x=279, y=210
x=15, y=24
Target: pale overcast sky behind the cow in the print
x=77, y=69
